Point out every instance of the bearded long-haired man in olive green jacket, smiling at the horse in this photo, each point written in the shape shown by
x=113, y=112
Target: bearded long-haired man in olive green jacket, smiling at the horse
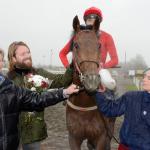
x=32, y=130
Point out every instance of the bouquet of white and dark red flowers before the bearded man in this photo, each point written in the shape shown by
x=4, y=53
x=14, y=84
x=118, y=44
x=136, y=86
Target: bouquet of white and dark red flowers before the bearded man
x=35, y=83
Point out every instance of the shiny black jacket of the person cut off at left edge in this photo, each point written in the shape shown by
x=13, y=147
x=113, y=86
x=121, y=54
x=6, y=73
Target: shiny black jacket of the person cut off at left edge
x=15, y=99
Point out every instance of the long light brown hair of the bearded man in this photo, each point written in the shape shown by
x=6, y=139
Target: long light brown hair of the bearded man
x=12, y=53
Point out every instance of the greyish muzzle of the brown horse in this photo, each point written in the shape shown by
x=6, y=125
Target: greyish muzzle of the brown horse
x=91, y=82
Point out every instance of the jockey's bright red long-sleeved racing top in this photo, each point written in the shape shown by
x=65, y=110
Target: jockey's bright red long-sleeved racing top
x=107, y=47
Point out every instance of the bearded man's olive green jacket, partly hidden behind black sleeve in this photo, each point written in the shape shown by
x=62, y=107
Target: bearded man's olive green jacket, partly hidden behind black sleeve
x=32, y=128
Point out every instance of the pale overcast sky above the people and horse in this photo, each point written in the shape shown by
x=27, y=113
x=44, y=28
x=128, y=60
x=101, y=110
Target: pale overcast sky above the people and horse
x=45, y=25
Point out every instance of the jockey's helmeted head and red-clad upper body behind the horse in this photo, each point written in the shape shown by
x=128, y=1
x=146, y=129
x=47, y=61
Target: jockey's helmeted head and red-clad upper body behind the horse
x=105, y=39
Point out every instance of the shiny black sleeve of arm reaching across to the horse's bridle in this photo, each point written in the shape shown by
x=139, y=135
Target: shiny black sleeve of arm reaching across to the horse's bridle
x=29, y=101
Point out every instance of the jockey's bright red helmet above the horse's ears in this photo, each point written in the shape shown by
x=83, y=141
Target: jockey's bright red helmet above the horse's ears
x=93, y=11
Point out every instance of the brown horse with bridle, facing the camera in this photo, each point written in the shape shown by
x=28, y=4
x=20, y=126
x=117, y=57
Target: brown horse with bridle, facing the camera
x=83, y=120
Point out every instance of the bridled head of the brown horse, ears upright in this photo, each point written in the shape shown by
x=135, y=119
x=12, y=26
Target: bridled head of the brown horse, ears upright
x=86, y=54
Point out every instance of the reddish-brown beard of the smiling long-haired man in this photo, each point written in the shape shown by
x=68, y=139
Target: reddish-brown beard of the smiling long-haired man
x=24, y=64
